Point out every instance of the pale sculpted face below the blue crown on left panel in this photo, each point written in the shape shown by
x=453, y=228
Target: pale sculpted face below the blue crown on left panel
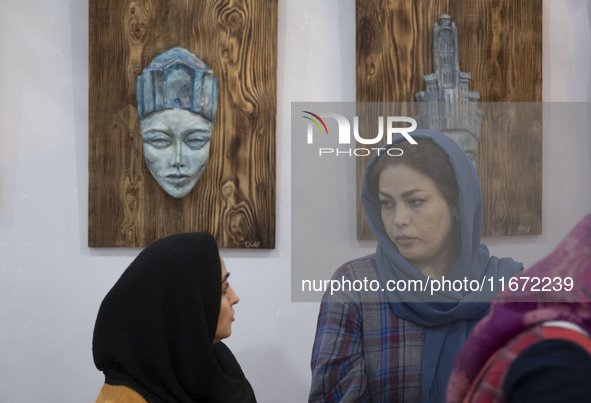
x=176, y=148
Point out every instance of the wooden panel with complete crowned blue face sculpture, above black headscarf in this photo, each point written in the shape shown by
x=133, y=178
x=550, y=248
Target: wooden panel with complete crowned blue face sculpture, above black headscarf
x=182, y=110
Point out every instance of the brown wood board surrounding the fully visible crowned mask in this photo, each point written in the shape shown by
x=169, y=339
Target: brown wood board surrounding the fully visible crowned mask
x=235, y=197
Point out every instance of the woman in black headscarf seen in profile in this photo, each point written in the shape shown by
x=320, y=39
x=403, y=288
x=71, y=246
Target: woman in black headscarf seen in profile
x=158, y=333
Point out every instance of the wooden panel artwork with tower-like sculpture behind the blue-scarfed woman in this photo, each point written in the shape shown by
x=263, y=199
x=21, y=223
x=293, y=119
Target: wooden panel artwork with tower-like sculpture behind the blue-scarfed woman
x=410, y=49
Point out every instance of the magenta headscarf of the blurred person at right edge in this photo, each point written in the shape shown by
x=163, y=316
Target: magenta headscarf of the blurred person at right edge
x=513, y=312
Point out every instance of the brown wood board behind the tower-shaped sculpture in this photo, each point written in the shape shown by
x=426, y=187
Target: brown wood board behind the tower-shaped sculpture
x=500, y=44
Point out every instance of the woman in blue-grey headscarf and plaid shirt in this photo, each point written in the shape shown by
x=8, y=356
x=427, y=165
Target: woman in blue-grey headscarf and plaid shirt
x=425, y=210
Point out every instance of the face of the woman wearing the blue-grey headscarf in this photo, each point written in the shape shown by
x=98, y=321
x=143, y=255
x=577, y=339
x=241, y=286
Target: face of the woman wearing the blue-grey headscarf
x=417, y=219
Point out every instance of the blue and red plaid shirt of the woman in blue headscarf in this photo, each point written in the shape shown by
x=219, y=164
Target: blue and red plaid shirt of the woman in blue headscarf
x=362, y=352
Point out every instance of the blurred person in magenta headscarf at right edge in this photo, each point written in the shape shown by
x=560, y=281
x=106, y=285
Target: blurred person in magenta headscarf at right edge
x=534, y=345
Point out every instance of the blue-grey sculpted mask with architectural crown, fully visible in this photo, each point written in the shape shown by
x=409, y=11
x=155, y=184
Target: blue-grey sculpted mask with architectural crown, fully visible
x=177, y=96
